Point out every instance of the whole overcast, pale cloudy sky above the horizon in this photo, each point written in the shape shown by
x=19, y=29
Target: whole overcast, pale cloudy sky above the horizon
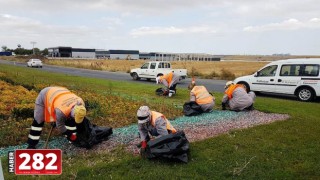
x=190, y=26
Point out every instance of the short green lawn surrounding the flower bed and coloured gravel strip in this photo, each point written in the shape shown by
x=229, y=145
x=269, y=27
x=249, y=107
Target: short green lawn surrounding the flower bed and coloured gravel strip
x=280, y=150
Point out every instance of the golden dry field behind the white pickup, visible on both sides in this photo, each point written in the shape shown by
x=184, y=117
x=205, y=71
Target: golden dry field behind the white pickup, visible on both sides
x=200, y=68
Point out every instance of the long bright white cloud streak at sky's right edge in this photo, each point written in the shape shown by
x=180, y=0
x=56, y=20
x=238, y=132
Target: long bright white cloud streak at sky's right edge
x=290, y=24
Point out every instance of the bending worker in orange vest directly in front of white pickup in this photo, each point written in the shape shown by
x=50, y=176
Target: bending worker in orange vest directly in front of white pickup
x=169, y=80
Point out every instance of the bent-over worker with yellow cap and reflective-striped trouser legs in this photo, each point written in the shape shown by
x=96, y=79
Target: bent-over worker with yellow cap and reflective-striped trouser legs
x=56, y=105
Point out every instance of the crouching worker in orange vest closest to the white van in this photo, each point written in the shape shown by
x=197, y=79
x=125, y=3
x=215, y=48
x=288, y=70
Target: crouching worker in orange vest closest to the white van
x=237, y=98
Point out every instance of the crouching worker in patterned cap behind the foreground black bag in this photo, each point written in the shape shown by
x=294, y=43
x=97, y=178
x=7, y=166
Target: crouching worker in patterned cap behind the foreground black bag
x=153, y=123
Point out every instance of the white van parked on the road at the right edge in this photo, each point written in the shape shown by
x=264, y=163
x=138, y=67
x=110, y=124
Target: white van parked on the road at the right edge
x=299, y=77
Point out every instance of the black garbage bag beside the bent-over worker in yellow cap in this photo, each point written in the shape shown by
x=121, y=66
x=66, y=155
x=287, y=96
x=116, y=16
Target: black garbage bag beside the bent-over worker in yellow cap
x=89, y=134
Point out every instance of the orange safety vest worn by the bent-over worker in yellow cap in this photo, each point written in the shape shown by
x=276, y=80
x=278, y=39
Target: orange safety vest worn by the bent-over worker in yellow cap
x=60, y=98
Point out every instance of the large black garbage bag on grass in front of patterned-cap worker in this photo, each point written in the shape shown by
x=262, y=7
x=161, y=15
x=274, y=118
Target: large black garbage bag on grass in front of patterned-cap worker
x=172, y=146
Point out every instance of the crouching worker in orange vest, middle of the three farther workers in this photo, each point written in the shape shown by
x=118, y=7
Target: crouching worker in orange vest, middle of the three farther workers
x=201, y=96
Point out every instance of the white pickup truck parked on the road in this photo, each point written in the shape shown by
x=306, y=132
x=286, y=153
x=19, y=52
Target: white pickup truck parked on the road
x=151, y=70
